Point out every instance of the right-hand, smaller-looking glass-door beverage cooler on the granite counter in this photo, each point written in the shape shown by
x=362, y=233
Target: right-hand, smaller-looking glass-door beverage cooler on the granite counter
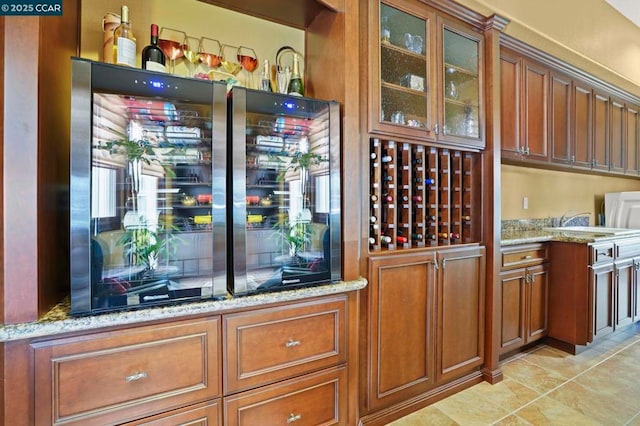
x=285, y=187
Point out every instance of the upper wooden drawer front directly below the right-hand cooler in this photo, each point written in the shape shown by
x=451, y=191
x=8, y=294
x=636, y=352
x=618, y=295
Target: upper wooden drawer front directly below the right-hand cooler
x=276, y=343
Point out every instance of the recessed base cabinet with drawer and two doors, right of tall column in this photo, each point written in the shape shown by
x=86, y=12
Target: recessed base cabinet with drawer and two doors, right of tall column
x=524, y=295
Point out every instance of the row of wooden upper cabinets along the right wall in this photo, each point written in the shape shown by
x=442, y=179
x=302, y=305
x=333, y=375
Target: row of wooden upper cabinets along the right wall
x=553, y=115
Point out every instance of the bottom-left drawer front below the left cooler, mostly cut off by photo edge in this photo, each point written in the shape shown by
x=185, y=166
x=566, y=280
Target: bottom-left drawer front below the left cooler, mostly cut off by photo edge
x=208, y=414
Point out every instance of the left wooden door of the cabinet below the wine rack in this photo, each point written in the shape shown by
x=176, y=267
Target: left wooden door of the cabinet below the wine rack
x=401, y=358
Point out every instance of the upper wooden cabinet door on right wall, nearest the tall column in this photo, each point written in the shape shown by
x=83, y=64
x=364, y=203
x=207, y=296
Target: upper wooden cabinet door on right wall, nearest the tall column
x=510, y=69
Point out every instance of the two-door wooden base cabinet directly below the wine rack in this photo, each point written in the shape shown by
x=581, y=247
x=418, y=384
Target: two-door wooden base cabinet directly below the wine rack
x=424, y=323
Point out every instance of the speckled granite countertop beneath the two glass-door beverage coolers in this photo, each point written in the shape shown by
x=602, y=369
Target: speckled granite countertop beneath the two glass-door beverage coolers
x=58, y=320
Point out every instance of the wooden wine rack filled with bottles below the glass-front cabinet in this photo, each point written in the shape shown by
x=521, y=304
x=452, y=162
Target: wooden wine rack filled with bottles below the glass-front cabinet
x=422, y=196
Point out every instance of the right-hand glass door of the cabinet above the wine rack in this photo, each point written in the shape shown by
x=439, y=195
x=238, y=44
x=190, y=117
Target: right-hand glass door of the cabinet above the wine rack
x=461, y=80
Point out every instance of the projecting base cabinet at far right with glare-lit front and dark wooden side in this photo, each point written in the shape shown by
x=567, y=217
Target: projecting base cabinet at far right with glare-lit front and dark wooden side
x=595, y=290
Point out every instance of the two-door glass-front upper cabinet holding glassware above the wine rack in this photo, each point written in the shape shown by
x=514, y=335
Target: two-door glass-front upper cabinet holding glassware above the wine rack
x=426, y=75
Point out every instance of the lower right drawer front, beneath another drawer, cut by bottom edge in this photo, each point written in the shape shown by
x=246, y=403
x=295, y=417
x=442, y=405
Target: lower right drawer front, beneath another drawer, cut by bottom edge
x=315, y=399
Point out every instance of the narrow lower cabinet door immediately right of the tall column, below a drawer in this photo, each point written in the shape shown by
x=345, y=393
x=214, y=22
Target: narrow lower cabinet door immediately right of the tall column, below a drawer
x=513, y=311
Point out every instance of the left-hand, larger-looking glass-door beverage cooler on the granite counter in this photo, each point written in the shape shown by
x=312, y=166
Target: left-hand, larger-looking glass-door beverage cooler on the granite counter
x=147, y=188
